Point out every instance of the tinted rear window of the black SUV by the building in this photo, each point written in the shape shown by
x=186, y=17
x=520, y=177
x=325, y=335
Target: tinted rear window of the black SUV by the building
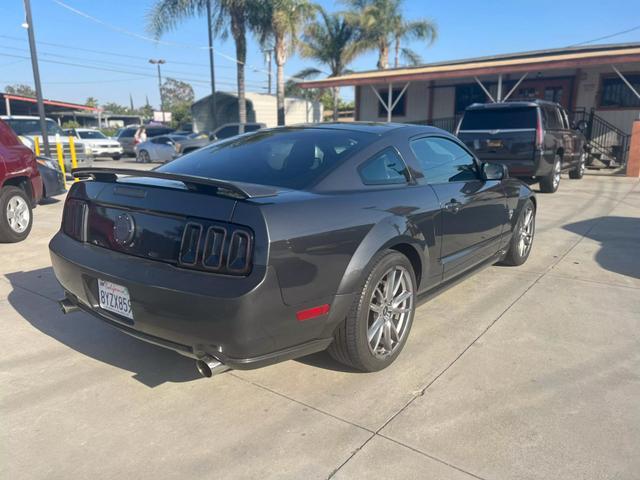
x=499, y=119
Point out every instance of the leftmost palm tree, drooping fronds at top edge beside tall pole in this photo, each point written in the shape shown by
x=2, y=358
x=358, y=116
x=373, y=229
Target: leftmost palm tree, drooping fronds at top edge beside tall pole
x=228, y=15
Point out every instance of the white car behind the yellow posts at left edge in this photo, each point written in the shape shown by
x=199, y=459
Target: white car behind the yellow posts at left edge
x=29, y=127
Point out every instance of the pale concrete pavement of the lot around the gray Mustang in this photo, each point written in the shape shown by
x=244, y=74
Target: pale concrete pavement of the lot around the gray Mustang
x=530, y=372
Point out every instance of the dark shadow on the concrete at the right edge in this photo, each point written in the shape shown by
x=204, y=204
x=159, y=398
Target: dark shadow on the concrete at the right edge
x=619, y=239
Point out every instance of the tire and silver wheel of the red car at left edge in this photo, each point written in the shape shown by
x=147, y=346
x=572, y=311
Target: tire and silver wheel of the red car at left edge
x=16, y=216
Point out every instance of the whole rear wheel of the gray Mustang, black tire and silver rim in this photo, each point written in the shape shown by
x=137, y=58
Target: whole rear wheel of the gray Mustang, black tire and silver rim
x=378, y=325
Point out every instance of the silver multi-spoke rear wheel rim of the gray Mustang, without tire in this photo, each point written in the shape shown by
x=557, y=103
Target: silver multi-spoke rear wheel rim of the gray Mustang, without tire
x=390, y=309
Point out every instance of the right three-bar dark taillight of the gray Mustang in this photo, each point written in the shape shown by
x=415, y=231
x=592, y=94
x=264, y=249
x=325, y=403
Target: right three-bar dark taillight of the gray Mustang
x=216, y=248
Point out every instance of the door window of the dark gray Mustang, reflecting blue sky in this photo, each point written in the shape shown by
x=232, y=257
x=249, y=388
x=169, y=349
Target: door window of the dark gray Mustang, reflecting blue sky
x=443, y=160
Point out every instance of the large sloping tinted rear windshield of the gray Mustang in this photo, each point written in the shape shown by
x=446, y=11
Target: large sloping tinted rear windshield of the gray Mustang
x=288, y=158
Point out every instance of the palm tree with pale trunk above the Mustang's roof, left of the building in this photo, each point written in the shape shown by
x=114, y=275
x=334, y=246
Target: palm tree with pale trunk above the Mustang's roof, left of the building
x=279, y=22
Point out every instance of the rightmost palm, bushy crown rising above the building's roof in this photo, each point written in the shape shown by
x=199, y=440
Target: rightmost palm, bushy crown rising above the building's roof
x=382, y=24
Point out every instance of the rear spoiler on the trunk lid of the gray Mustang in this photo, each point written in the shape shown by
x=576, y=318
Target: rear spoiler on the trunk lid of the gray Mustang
x=192, y=182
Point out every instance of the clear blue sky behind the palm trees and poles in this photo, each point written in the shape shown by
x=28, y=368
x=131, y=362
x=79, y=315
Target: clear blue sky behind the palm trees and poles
x=466, y=29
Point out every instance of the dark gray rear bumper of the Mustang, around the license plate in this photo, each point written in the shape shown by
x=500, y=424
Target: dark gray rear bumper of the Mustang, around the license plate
x=242, y=322
